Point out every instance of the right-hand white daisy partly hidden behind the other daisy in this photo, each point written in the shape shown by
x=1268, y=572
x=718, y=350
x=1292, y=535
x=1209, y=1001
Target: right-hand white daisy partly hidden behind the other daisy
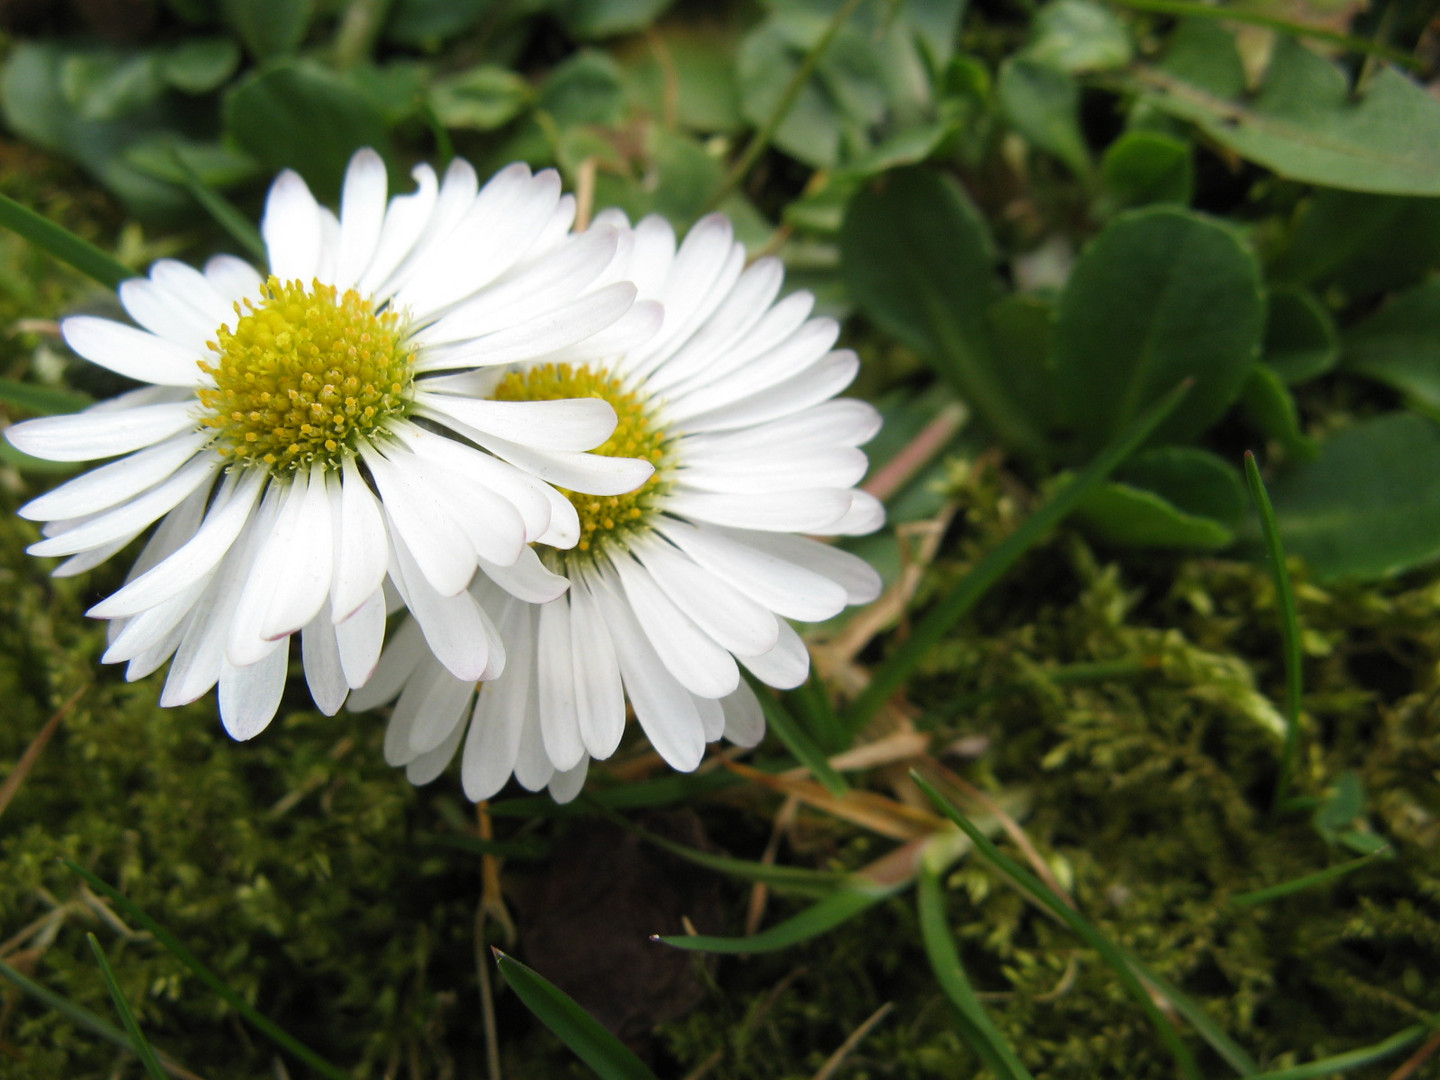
x=680, y=584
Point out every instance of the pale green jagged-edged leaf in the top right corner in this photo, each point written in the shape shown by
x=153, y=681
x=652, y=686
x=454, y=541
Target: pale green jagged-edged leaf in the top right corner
x=1305, y=123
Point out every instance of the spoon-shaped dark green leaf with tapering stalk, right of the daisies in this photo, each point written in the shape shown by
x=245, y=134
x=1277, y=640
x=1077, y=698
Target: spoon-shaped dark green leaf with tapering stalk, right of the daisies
x=919, y=263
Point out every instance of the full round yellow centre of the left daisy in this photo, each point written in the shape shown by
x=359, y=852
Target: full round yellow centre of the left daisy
x=306, y=377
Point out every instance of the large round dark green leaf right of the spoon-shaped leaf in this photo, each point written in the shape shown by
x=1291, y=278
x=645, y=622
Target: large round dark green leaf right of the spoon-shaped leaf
x=1160, y=296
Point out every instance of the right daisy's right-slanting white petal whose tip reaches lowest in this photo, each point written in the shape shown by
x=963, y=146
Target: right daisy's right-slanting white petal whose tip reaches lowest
x=666, y=711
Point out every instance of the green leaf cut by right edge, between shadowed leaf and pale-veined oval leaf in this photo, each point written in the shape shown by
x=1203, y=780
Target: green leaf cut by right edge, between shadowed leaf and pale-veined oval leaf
x=1400, y=346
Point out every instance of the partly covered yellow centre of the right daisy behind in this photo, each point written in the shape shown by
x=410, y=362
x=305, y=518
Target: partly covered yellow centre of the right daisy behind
x=604, y=519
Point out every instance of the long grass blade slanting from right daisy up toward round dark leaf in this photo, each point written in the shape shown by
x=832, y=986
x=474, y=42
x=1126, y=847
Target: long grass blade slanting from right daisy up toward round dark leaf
x=892, y=675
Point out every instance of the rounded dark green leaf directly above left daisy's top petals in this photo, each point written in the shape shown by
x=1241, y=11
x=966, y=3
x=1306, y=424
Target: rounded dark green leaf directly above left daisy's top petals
x=294, y=114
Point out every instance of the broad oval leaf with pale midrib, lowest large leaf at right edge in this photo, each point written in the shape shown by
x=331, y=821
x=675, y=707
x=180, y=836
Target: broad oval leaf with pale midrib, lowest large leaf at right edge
x=1370, y=505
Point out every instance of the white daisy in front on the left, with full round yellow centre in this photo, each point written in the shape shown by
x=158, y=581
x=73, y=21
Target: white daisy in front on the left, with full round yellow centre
x=305, y=441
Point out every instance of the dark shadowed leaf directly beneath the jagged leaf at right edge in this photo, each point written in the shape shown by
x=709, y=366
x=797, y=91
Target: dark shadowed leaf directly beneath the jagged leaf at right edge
x=1363, y=244
